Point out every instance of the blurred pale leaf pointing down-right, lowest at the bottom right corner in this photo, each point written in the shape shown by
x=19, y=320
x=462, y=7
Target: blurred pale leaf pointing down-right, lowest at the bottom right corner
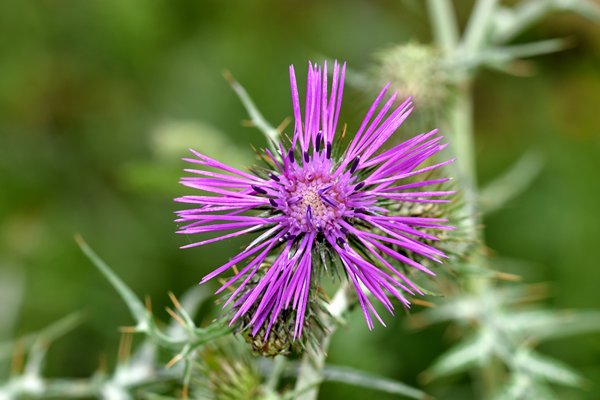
x=540, y=366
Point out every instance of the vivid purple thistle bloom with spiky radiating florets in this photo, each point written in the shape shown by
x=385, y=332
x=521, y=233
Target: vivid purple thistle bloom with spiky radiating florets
x=315, y=194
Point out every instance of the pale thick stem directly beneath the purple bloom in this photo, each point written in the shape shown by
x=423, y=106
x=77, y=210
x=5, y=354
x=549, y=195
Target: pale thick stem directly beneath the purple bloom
x=309, y=376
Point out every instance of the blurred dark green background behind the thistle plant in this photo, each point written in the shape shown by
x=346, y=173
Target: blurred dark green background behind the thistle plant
x=99, y=100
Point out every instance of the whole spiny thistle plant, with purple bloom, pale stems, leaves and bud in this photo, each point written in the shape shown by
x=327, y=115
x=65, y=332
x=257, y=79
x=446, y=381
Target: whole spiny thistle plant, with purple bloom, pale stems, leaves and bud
x=336, y=218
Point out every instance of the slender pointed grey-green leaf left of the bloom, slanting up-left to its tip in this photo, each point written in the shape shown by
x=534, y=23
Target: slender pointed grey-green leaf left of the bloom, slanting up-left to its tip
x=136, y=307
